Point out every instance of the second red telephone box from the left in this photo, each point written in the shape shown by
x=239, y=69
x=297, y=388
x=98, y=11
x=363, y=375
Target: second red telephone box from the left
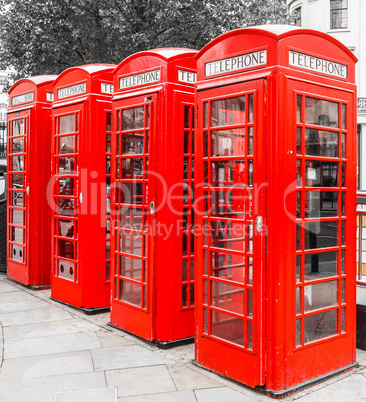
x=81, y=187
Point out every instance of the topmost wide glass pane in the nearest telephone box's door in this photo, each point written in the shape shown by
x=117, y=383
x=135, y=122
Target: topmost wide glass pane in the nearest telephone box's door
x=228, y=111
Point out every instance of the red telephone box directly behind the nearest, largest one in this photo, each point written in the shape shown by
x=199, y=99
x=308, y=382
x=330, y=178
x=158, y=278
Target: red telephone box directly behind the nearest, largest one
x=152, y=199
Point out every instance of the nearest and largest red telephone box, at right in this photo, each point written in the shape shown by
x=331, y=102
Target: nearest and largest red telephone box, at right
x=276, y=201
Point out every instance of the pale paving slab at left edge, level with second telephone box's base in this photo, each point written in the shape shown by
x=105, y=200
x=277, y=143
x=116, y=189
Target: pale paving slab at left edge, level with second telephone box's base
x=19, y=301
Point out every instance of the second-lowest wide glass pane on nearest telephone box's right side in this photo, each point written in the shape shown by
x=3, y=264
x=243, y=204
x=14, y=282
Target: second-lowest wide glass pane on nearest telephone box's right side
x=320, y=295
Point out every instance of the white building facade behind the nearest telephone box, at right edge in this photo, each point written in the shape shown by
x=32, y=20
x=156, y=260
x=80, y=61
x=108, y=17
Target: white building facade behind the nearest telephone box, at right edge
x=344, y=19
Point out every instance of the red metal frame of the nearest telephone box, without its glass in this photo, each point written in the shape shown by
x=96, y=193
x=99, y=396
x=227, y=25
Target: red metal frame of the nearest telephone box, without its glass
x=287, y=365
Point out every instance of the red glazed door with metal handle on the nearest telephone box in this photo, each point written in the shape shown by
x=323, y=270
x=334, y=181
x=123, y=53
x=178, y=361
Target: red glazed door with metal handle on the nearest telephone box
x=230, y=194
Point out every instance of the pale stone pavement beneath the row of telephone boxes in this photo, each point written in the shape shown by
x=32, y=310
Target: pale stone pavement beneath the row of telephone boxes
x=53, y=353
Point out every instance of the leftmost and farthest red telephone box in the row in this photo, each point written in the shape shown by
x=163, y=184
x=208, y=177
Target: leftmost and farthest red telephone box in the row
x=29, y=218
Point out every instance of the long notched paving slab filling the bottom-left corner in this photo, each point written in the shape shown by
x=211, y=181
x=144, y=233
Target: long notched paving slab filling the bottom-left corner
x=44, y=389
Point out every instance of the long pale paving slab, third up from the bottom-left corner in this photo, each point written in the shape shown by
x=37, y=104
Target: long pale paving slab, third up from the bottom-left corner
x=51, y=345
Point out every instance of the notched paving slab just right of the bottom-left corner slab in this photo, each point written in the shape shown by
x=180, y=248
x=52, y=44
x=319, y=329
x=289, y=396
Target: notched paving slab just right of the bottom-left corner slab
x=140, y=380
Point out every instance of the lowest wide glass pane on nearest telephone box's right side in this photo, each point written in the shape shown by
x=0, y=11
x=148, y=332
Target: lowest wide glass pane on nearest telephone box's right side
x=318, y=326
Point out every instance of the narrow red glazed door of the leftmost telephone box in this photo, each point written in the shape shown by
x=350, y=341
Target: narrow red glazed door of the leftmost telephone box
x=18, y=128
